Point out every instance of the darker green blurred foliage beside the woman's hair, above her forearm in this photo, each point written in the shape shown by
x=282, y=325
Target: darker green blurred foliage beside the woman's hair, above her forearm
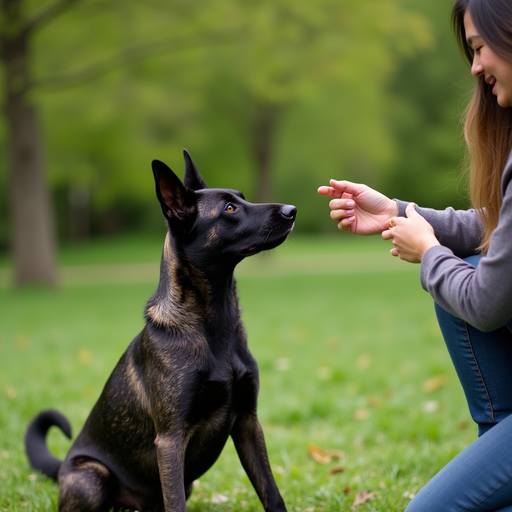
x=426, y=100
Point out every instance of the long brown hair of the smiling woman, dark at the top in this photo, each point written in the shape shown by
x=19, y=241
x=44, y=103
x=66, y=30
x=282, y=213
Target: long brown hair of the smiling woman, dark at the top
x=488, y=128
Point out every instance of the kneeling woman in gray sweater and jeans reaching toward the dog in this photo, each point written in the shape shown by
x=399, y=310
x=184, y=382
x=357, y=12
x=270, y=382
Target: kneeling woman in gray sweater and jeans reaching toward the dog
x=466, y=264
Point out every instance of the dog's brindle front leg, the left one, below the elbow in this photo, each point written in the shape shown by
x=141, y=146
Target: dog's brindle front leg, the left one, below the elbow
x=170, y=453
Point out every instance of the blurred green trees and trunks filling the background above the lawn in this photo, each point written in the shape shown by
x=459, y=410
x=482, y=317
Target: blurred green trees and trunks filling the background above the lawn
x=272, y=97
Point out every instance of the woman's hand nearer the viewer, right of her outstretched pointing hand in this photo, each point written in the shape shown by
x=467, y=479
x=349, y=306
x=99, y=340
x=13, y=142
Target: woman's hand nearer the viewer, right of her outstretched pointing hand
x=411, y=236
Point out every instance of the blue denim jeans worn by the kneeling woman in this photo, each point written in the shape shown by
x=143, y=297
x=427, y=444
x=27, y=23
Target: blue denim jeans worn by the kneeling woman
x=479, y=479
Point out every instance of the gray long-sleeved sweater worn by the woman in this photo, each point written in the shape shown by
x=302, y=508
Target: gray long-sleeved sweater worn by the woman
x=482, y=296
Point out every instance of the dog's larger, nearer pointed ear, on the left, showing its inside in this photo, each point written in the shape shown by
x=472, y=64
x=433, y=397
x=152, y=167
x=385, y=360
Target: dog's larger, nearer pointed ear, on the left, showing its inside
x=176, y=200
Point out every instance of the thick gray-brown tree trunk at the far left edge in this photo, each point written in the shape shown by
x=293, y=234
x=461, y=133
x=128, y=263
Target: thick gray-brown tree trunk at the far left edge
x=32, y=223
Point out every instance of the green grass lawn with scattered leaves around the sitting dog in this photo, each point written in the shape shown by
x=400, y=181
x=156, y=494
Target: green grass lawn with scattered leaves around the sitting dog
x=345, y=338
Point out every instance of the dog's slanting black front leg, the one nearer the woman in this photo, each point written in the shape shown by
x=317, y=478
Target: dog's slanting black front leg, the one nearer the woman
x=248, y=437
